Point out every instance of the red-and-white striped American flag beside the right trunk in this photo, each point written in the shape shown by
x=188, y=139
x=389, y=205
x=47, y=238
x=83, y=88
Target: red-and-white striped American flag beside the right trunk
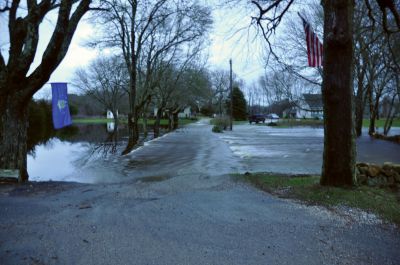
x=314, y=46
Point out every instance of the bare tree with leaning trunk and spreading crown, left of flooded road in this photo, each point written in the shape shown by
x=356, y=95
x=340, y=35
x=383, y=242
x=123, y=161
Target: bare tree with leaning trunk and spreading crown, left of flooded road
x=136, y=24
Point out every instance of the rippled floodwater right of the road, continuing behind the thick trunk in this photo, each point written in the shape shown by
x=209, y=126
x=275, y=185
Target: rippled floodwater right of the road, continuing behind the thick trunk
x=298, y=149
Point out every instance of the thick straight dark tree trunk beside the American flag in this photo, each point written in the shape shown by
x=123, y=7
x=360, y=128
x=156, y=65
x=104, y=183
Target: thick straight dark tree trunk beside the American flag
x=338, y=167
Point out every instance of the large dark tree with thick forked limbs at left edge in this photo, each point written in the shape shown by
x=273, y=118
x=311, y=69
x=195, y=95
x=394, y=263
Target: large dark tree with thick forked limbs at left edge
x=17, y=83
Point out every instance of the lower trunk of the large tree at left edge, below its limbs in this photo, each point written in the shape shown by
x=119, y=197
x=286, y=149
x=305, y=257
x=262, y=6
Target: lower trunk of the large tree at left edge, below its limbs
x=13, y=137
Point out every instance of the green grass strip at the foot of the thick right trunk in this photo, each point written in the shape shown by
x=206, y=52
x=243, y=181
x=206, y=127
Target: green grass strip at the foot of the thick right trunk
x=382, y=202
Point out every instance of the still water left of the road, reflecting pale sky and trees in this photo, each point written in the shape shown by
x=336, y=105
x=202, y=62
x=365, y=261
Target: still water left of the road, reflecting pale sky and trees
x=65, y=155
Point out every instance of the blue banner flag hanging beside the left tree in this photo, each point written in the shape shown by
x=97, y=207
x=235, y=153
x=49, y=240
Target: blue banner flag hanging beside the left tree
x=61, y=116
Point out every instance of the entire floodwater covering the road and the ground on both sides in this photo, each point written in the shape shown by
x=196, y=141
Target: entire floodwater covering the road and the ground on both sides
x=92, y=155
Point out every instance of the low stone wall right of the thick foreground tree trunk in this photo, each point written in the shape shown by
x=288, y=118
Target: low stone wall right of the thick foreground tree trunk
x=375, y=175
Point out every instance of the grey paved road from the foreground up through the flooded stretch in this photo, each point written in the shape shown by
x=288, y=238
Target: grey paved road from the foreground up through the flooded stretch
x=184, y=210
